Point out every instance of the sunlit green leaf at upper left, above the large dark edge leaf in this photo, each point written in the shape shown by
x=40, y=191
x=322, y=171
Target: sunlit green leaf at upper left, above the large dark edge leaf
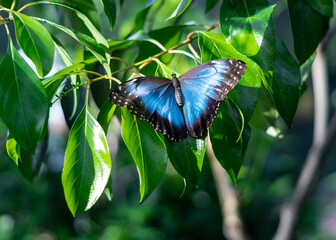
x=35, y=41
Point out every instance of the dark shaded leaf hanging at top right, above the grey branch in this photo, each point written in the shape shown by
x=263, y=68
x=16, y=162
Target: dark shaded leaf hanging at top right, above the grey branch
x=308, y=27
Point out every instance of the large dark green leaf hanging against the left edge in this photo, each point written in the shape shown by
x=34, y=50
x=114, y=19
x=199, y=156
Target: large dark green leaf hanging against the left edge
x=23, y=100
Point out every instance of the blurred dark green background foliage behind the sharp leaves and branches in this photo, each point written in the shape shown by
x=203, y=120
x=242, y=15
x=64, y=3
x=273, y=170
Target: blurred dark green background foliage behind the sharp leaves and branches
x=38, y=210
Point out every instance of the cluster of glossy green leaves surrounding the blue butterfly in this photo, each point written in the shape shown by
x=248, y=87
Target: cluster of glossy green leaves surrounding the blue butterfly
x=271, y=85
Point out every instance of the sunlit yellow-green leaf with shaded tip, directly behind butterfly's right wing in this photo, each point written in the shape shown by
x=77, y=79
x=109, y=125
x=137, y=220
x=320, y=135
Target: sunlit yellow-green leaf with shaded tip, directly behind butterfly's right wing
x=245, y=94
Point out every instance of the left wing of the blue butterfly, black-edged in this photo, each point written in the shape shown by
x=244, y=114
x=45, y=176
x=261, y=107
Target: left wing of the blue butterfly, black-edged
x=152, y=99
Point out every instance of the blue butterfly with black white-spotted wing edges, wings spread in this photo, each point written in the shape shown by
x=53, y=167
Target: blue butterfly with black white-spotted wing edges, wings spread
x=184, y=105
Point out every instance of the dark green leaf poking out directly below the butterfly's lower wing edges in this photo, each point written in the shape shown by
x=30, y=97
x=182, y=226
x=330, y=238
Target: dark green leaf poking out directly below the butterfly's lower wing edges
x=187, y=157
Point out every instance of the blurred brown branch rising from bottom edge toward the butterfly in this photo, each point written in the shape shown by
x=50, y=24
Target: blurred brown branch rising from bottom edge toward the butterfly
x=232, y=223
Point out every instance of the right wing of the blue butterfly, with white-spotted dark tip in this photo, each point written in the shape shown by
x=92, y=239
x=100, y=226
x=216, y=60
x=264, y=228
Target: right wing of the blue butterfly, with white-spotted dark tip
x=203, y=87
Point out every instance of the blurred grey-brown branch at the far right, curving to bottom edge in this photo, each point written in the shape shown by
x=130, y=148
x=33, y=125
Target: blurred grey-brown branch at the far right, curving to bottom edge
x=322, y=141
